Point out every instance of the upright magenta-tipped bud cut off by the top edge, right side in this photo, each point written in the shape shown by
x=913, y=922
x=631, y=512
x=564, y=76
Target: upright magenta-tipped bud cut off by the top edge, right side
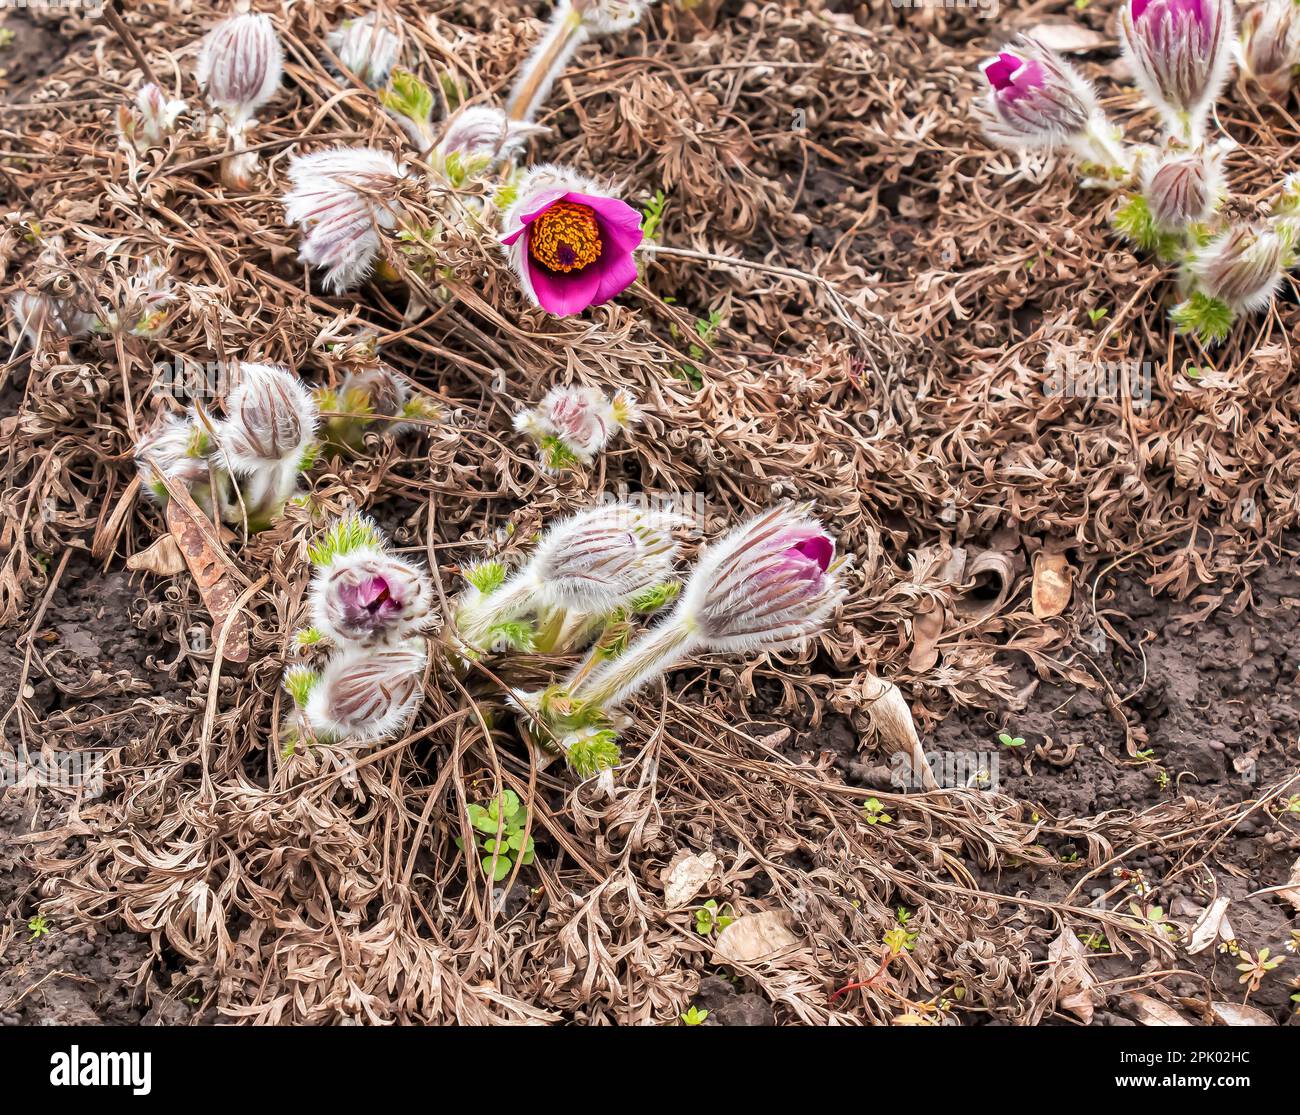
x=1181, y=53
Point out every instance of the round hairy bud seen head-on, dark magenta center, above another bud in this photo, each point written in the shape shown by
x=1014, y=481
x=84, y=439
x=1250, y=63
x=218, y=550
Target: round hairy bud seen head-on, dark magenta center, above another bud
x=369, y=597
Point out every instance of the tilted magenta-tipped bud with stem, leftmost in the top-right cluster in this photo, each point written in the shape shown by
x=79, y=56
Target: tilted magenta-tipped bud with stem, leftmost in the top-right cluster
x=1037, y=99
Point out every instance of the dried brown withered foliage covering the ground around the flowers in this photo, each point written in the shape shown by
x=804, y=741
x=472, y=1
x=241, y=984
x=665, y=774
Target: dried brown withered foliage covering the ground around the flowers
x=879, y=350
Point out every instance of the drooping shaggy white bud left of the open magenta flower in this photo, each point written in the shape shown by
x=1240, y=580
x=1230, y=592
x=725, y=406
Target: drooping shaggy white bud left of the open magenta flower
x=341, y=199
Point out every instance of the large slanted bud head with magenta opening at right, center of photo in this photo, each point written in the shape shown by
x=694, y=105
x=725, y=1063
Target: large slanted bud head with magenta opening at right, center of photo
x=766, y=584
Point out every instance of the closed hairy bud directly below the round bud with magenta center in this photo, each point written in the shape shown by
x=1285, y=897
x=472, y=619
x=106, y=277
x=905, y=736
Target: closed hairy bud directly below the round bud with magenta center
x=366, y=695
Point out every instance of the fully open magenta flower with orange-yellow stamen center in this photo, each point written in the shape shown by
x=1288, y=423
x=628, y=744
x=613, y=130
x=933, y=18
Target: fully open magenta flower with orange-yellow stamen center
x=570, y=245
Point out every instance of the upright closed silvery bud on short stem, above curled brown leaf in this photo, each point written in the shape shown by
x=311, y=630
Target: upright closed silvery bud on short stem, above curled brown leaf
x=270, y=428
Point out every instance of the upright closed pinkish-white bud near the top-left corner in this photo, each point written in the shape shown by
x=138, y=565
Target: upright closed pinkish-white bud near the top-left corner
x=241, y=64
